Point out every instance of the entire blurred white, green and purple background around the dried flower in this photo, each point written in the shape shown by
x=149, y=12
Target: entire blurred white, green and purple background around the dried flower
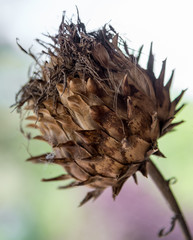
x=31, y=209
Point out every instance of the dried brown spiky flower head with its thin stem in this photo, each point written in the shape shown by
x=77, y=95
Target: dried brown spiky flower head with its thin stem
x=101, y=112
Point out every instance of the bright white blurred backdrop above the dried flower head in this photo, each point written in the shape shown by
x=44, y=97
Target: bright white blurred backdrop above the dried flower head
x=167, y=23
